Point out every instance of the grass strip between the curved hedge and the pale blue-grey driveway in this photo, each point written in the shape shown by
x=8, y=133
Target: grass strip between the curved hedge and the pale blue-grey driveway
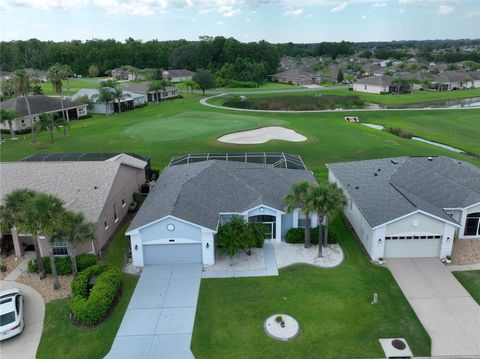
x=61, y=339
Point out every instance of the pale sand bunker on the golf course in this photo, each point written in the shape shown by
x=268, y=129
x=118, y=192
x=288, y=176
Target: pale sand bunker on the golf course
x=262, y=135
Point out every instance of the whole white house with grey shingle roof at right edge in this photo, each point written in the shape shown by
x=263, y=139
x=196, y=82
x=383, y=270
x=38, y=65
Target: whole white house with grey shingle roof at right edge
x=410, y=206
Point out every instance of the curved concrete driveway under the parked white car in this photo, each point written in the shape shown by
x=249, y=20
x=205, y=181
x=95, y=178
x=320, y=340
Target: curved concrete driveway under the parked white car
x=24, y=346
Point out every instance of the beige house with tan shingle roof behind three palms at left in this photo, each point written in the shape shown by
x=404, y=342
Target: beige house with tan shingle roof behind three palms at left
x=100, y=189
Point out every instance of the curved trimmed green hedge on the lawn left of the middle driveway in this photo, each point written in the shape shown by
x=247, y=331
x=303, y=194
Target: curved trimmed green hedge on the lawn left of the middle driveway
x=90, y=308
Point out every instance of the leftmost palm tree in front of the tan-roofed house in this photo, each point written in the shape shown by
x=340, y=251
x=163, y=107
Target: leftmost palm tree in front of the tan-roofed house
x=14, y=216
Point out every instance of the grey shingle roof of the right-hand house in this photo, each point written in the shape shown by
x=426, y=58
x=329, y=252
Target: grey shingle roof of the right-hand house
x=386, y=189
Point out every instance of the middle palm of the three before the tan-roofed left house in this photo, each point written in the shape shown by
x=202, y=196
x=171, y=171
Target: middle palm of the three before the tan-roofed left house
x=45, y=213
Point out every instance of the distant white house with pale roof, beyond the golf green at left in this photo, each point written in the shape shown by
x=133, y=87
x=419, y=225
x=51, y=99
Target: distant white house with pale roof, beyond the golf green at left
x=129, y=101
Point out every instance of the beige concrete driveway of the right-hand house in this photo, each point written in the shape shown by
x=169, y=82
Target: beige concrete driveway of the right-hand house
x=446, y=310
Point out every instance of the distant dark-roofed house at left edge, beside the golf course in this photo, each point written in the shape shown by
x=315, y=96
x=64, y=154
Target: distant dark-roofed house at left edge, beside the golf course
x=41, y=104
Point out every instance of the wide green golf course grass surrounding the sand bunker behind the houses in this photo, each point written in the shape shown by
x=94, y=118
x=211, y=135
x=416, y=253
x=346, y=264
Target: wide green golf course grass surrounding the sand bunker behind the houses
x=181, y=126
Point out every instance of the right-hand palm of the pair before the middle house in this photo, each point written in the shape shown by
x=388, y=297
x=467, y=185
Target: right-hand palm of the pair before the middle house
x=327, y=200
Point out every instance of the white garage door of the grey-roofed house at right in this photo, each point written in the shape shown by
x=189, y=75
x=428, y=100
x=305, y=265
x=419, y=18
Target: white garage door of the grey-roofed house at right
x=412, y=246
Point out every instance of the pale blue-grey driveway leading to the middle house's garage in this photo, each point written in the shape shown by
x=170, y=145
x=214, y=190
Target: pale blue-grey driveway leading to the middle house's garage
x=159, y=320
